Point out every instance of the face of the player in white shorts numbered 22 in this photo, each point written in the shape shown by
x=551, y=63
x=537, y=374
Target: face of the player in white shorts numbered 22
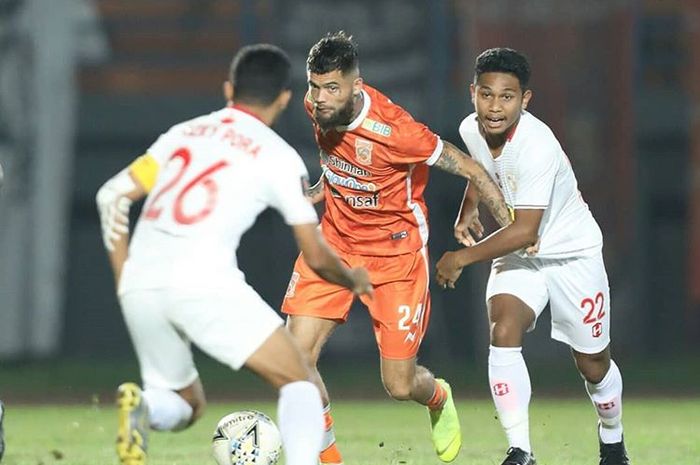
x=498, y=100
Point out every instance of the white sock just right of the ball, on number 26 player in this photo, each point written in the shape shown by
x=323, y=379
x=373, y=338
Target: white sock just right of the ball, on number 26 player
x=300, y=418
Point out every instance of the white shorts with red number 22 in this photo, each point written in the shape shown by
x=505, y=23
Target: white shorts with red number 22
x=577, y=291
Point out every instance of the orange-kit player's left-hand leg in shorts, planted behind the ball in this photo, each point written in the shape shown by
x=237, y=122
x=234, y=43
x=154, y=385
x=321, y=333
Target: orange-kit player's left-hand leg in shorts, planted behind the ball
x=315, y=308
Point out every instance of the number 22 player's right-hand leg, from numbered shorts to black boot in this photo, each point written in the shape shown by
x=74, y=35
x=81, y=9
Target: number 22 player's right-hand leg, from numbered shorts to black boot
x=580, y=301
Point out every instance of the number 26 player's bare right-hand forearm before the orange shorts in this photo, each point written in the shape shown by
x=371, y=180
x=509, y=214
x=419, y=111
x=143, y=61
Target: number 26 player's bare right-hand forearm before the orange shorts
x=321, y=258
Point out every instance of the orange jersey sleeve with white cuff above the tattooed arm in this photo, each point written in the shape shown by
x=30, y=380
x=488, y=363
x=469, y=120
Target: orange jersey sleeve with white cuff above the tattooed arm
x=413, y=142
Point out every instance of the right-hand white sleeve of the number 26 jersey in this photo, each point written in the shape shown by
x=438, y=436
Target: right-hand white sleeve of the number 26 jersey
x=286, y=185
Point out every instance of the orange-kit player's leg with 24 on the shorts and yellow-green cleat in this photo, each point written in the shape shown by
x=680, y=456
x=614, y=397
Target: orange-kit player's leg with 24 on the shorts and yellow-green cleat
x=400, y=311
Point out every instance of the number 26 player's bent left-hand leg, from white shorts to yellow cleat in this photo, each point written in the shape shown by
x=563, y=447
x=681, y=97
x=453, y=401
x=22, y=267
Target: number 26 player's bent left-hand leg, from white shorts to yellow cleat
x=166, y=367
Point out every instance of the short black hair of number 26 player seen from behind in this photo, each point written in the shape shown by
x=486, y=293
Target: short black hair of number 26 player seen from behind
x=259, y=73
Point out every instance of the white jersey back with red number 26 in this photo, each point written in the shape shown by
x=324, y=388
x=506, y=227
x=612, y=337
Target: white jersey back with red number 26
x=217, y=174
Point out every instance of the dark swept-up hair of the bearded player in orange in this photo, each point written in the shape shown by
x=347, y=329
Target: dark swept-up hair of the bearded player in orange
x=336, y=51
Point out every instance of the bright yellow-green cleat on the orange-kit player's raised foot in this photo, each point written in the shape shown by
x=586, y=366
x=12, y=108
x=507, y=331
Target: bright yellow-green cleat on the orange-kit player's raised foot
x=447, y=434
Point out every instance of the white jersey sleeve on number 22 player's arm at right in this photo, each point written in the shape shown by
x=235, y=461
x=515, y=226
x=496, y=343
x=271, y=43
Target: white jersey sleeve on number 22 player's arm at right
x=537, y=169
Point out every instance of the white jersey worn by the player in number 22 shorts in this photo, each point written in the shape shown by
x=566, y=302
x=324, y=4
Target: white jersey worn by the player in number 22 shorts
x=534, y=173
